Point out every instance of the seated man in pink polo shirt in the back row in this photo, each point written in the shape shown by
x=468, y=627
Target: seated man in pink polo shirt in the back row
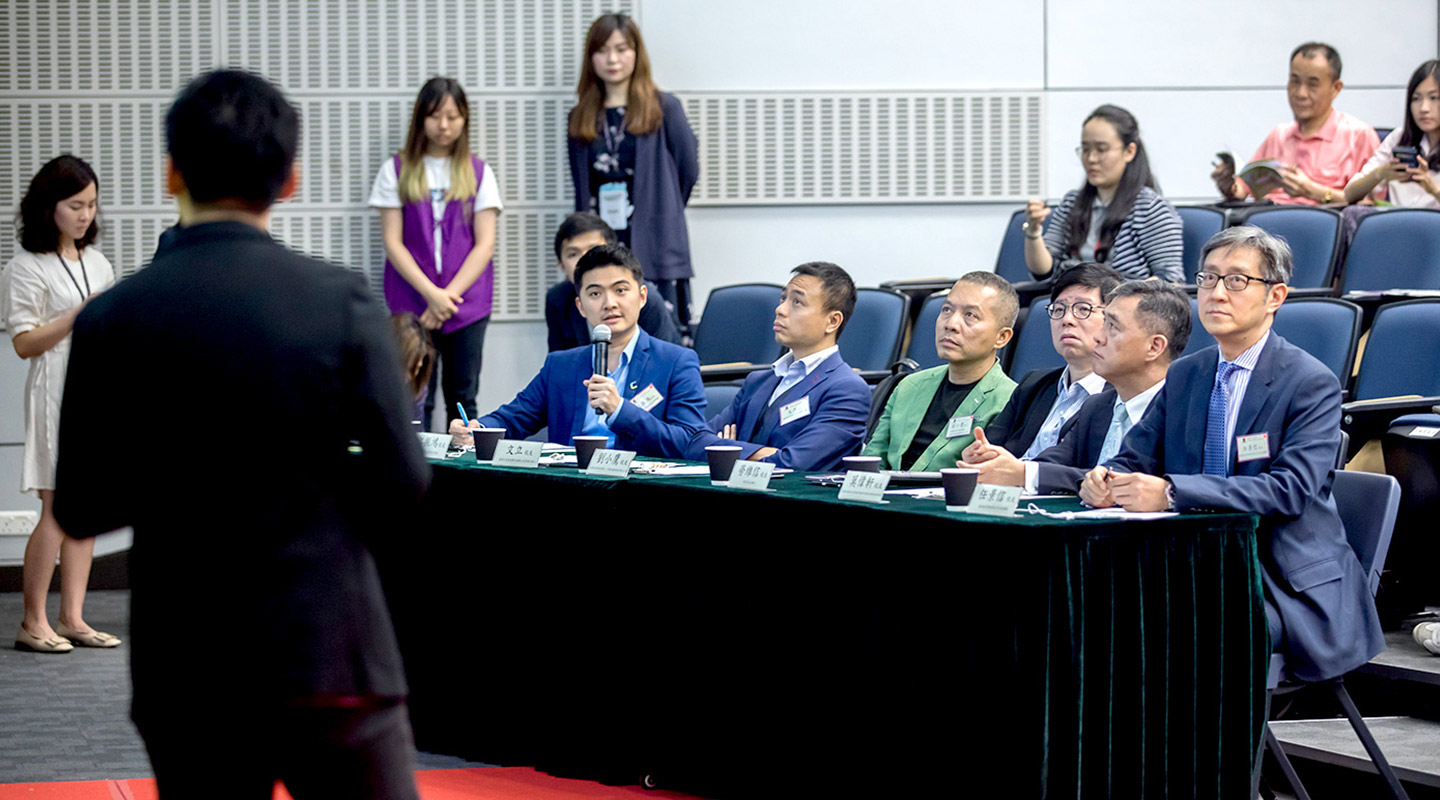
x=1323, y=149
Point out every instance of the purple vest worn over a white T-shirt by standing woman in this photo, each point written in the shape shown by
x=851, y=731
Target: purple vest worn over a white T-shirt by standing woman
x=457, y=241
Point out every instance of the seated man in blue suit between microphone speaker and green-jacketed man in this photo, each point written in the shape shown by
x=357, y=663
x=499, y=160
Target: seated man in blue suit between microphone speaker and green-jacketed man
x=810, y=409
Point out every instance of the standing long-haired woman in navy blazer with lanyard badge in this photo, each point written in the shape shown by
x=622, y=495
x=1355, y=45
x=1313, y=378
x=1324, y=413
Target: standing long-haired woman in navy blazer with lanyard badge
x=634, y=158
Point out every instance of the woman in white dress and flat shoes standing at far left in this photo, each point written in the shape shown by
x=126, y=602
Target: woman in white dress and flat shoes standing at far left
x=45, y=287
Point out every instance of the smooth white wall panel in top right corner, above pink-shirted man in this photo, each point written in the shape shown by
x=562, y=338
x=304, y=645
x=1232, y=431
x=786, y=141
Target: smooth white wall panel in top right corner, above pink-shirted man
x=1104, y=44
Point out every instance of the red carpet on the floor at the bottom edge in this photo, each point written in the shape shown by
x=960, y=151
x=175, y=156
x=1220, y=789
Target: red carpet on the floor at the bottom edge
x=490, y=783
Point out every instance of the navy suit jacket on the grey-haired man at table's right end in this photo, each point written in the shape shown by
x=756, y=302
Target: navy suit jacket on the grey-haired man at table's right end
x=1311, y=575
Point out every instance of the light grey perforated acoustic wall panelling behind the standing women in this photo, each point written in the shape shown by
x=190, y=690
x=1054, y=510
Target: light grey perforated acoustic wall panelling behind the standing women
x=354, y=67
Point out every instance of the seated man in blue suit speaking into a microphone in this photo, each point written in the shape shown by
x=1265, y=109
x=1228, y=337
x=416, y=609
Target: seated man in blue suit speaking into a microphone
x=652, y=398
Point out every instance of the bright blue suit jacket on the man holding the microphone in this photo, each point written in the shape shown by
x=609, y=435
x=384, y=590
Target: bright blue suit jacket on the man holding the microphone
x=557, y=398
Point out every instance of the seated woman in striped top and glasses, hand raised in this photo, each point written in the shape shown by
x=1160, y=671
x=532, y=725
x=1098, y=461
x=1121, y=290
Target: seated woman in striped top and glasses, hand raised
x=1117, y=217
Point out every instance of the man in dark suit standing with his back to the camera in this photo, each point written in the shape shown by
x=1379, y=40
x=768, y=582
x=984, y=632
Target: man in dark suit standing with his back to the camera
x=263, y=647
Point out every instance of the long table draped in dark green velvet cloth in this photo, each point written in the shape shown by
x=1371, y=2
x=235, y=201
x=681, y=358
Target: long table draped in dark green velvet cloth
x=739, y=644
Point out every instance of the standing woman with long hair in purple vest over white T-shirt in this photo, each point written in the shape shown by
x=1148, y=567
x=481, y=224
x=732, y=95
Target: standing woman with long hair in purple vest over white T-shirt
x=438, y=208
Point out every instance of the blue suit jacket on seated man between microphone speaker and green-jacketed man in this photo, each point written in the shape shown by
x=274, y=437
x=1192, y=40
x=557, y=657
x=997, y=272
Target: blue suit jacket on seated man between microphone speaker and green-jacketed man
x=834, y=429
